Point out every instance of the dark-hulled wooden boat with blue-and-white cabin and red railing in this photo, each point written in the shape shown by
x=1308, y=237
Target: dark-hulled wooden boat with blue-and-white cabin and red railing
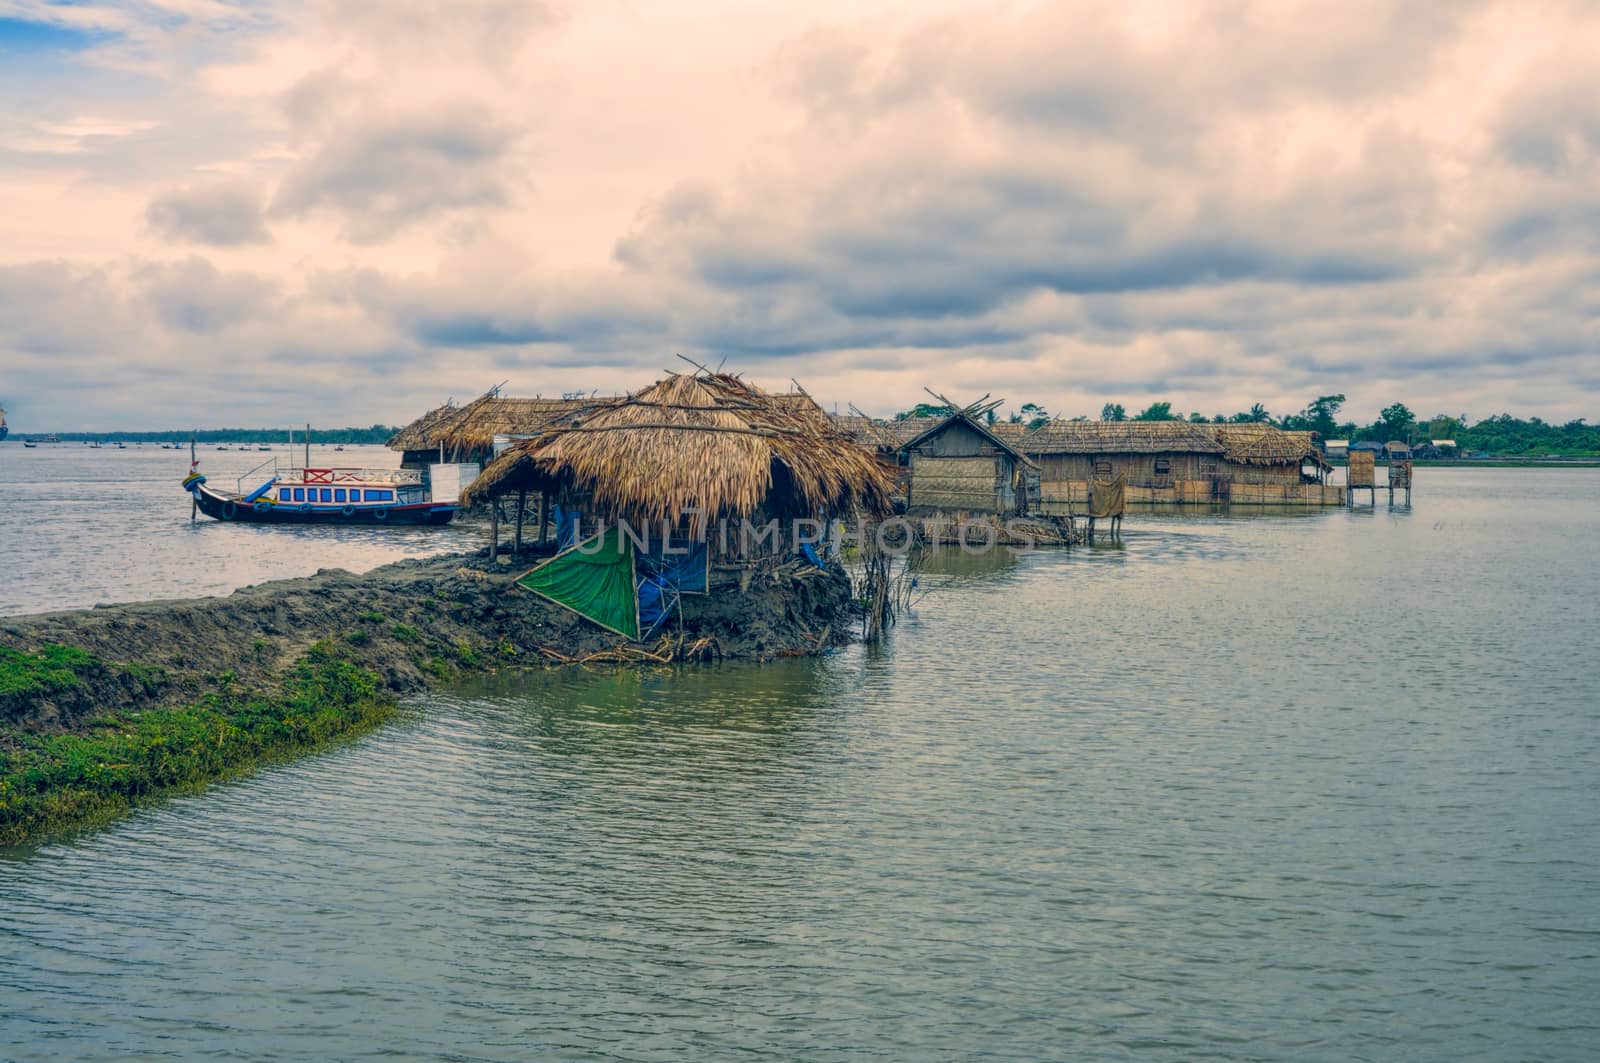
x=377, y=497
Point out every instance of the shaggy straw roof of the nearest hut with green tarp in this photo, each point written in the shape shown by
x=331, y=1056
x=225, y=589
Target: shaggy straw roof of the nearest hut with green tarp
x=703, y=443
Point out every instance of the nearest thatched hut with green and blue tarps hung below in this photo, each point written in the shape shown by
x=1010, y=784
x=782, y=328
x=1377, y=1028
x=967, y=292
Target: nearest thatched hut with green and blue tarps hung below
x=650, y=491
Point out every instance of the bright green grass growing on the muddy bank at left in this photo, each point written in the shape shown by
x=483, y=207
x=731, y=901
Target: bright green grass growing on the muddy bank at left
x=52, y=784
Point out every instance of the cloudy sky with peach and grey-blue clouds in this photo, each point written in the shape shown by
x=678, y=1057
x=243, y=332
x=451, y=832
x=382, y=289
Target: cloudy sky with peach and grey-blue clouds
x=345, y=212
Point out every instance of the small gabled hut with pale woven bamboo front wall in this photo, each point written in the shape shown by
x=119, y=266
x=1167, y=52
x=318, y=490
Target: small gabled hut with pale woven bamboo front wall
x=959, y=465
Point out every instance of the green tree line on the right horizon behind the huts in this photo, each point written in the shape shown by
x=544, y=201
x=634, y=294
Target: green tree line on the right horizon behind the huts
x=1502, y=435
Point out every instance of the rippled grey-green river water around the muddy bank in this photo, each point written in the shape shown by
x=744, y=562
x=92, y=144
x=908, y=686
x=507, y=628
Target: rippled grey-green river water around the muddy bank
x=1239, y=788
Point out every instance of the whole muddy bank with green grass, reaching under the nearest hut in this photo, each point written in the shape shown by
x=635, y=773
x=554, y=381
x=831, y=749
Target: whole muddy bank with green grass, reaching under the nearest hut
x=105, y=708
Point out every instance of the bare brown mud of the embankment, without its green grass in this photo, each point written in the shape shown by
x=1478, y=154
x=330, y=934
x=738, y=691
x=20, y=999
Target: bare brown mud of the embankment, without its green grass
x=412, y=624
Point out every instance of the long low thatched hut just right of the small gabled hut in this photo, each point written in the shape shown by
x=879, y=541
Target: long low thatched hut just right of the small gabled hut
x=1154, y=457
